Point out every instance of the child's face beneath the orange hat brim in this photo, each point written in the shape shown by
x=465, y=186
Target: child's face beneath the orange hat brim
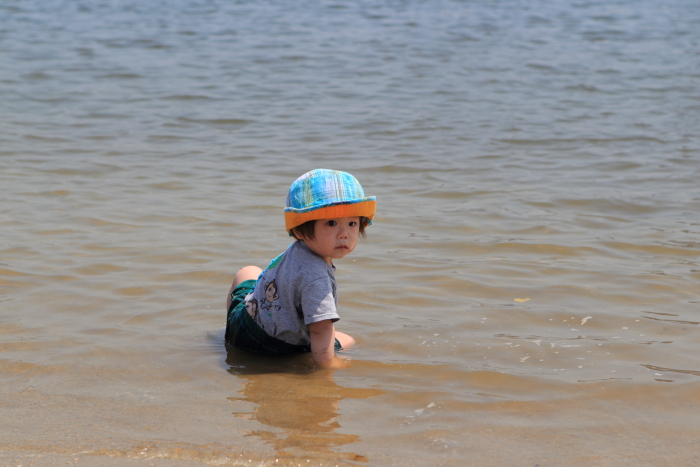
x=335, y=238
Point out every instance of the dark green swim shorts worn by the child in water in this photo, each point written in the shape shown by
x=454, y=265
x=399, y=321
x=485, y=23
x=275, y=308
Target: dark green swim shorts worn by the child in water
x=243, y=333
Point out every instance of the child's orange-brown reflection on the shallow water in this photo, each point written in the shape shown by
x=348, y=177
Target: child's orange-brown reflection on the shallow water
x=291, y=396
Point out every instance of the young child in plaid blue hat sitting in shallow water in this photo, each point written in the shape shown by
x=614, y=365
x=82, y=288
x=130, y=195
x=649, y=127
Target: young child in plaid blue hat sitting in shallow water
x=290, y=307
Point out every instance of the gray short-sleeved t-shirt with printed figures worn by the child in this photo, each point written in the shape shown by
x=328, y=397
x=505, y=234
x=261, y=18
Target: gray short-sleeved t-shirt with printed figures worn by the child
x=297, y=288
